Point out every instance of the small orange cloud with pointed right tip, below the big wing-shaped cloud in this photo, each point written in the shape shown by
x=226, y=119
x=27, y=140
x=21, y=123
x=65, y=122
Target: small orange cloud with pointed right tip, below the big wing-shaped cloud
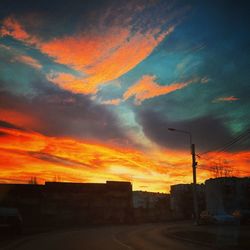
x=147, y=88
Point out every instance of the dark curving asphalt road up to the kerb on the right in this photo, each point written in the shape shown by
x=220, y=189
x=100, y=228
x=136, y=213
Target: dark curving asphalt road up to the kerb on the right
x=149, y=236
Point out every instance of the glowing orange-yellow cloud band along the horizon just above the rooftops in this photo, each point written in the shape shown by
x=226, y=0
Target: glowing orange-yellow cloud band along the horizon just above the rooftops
x=25, y=154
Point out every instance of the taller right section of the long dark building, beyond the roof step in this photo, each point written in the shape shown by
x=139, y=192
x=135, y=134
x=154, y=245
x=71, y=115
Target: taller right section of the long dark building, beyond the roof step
x=89, y=202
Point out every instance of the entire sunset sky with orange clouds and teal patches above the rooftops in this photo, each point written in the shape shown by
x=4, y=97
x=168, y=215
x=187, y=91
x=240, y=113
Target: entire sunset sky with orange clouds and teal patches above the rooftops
x=88, y=90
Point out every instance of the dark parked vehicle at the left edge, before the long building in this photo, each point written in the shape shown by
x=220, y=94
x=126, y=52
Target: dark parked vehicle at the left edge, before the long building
x=10, y=220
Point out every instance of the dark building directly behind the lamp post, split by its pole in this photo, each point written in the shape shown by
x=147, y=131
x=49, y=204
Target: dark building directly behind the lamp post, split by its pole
x=182, y=200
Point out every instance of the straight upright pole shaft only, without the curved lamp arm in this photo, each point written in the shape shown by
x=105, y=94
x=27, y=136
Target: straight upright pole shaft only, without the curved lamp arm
x=195, y=198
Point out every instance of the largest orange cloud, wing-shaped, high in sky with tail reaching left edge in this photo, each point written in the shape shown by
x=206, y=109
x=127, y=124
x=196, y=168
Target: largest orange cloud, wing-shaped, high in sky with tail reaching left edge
x=100, y=56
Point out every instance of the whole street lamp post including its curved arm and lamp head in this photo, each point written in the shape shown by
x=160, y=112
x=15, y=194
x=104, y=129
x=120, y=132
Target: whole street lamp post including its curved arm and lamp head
x=194, y=164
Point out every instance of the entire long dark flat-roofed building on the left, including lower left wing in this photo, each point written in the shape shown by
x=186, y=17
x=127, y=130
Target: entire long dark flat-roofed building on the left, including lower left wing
x=70, y=203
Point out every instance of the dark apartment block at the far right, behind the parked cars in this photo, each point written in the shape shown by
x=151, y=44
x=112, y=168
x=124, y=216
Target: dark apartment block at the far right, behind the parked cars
x=227, y=194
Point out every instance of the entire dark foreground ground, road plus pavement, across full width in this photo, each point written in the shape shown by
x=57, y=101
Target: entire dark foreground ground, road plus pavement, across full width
x=172, y=236
